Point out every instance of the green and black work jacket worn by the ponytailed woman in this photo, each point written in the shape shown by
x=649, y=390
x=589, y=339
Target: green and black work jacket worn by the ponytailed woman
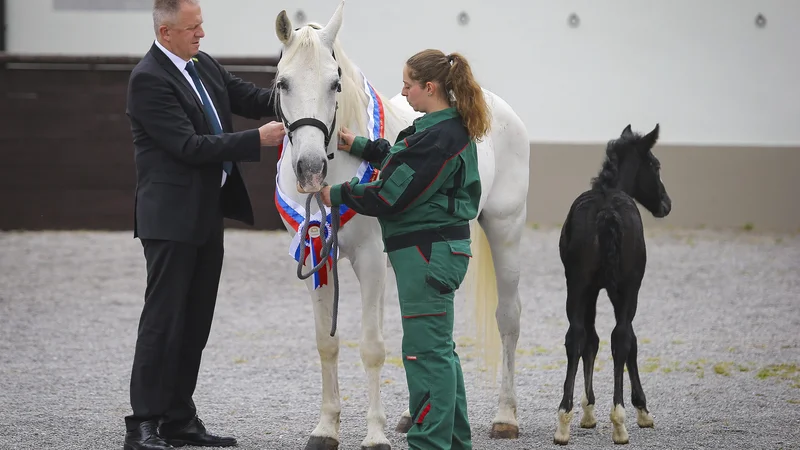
x=428, y=178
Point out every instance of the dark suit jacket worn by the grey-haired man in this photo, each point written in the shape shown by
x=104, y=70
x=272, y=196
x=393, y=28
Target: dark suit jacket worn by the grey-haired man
x=178, y=158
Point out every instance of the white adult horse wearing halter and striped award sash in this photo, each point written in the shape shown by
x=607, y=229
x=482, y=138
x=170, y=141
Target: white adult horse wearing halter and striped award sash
x=319, y=89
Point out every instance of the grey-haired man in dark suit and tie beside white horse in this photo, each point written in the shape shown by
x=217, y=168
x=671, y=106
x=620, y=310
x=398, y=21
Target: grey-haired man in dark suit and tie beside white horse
x=180, y=103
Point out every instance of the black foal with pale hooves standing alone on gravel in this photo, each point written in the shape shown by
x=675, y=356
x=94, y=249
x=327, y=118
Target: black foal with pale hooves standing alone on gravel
x=602, y=247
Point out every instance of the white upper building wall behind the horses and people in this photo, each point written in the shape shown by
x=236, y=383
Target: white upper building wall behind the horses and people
x=701, y=68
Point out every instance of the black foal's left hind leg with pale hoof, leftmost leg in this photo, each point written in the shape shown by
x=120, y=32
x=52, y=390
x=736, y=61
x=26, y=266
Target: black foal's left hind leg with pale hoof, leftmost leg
x=578, y=297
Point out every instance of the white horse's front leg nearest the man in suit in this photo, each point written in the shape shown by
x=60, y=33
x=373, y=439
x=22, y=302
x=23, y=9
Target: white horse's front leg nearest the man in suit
x=326, y=435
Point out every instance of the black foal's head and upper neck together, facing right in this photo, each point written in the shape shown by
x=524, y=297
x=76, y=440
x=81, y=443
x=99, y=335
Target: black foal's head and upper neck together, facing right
x=632, y=167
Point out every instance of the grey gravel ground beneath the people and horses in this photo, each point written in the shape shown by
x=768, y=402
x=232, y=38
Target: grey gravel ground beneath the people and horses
x=717, y=322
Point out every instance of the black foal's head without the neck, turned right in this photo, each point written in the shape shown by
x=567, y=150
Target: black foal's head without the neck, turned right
x=646, y=187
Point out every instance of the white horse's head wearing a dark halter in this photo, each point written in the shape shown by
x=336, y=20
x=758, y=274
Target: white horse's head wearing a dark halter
x=307, y=82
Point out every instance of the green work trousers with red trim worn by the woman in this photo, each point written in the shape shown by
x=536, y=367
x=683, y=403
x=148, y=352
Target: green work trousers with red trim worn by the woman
x=427, y=277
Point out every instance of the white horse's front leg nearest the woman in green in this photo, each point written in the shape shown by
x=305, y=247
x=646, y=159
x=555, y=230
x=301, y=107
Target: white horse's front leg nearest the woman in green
x=369, y=264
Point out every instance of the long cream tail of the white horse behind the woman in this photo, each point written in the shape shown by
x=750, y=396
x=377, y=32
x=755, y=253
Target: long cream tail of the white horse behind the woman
x=482, y=293
